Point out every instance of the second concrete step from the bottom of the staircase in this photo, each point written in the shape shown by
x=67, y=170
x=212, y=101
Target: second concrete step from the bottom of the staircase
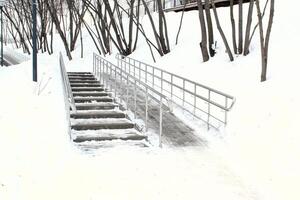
x=97, y=124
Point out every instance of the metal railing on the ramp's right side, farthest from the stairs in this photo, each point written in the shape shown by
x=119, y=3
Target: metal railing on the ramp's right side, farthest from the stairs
x=202, y=102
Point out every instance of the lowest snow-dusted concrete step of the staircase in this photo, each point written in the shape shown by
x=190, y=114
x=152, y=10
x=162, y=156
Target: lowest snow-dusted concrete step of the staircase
x=102, y=135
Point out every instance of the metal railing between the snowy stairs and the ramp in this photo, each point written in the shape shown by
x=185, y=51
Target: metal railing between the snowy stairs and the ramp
x=125, y=87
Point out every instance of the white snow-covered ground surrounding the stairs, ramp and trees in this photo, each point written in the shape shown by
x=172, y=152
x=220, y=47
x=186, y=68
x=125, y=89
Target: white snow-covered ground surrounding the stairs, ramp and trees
x=255, y=157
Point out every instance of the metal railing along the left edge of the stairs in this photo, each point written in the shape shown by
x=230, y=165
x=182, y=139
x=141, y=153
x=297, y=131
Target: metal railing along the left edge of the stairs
x=69, y=100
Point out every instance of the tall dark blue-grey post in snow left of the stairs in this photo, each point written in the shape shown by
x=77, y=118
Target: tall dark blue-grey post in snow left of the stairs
x=34, y=36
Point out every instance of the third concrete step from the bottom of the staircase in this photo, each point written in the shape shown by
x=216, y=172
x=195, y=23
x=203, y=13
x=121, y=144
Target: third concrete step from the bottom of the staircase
x=88, y=114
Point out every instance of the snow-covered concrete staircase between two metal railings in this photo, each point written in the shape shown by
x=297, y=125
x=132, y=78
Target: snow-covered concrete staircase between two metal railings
x=98, y=118
